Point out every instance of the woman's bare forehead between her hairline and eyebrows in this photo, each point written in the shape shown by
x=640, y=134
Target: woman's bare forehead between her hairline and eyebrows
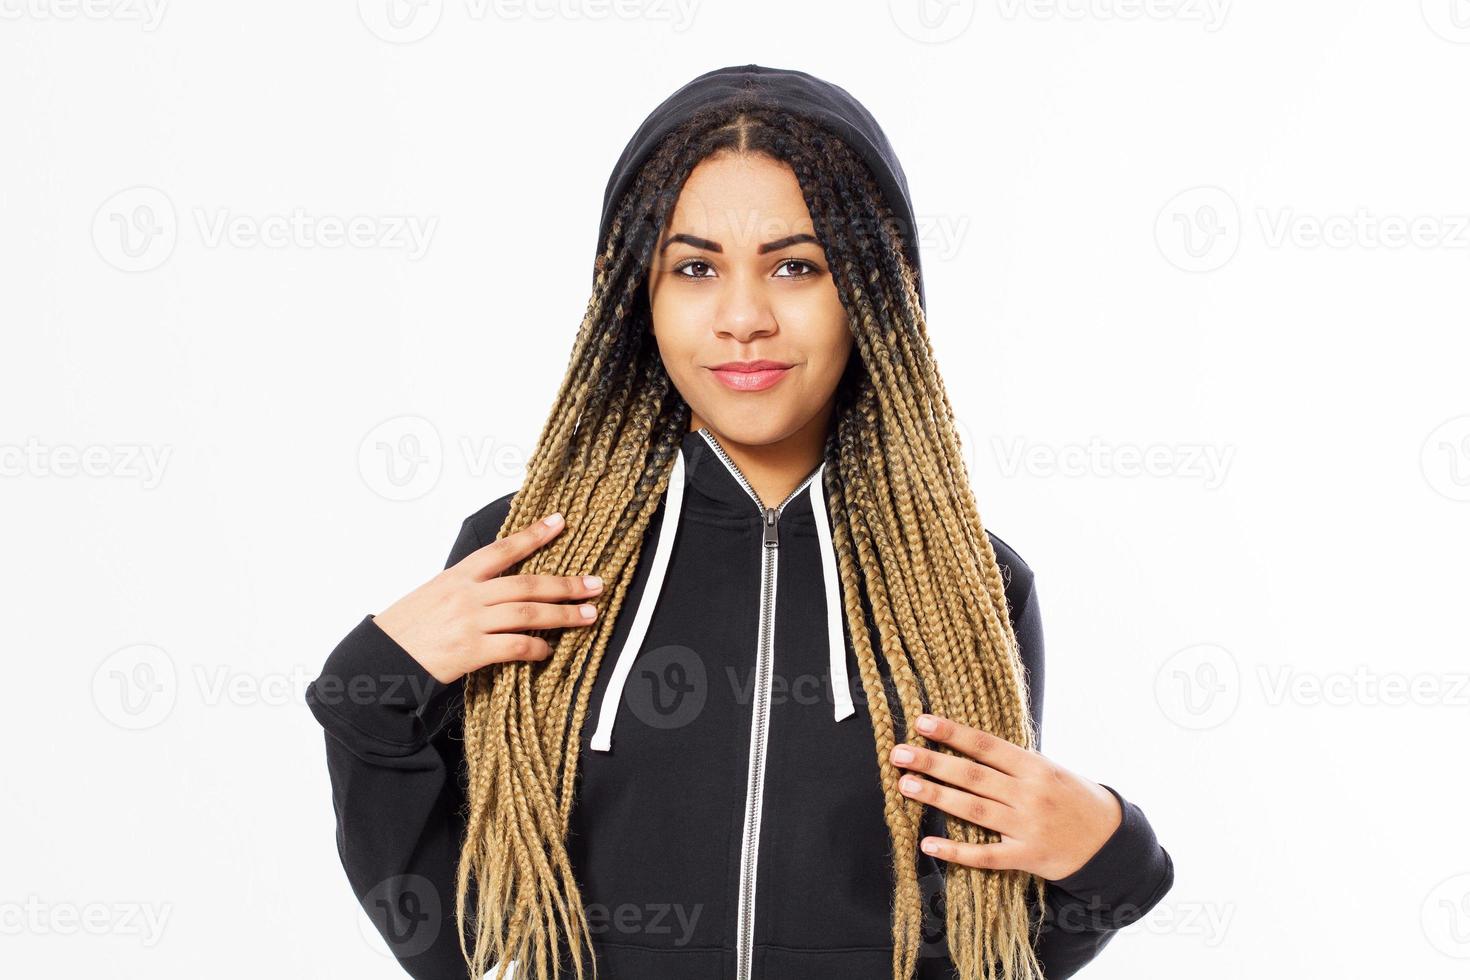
x=742, y=202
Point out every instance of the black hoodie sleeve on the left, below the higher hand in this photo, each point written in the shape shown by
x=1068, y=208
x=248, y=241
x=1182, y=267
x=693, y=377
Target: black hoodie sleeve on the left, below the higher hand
x=395, y=754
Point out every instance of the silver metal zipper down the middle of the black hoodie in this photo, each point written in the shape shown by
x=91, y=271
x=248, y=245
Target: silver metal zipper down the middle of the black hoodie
x=761, y=719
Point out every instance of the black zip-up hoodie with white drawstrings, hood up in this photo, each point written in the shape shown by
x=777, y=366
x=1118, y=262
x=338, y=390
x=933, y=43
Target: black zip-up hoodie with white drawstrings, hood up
x=728, y=821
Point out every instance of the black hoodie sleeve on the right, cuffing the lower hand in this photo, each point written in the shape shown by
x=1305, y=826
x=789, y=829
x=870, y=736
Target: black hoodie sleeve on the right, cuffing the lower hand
x=1128, y=875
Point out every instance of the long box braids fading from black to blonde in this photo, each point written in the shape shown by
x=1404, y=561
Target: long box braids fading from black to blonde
x=915, y=562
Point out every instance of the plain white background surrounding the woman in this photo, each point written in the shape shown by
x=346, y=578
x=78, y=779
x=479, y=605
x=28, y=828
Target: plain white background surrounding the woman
x=1231, y=237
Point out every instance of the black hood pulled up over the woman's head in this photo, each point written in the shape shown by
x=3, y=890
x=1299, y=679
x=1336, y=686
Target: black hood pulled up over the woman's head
x=789, y=89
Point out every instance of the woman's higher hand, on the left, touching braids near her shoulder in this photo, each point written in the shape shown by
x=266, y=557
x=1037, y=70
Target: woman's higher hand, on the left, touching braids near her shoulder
x=470, y=615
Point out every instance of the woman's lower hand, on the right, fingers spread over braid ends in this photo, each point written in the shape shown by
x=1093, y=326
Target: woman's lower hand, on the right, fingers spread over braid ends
x=1052, y=821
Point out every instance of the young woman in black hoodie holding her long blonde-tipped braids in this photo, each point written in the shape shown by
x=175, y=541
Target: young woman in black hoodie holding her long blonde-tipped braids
x=792, y=728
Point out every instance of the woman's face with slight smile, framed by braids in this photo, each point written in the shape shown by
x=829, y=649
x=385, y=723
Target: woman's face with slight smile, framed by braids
x=740, y=277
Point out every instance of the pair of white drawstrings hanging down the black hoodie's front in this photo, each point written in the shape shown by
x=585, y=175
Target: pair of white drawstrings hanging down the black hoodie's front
x=674, y=503
